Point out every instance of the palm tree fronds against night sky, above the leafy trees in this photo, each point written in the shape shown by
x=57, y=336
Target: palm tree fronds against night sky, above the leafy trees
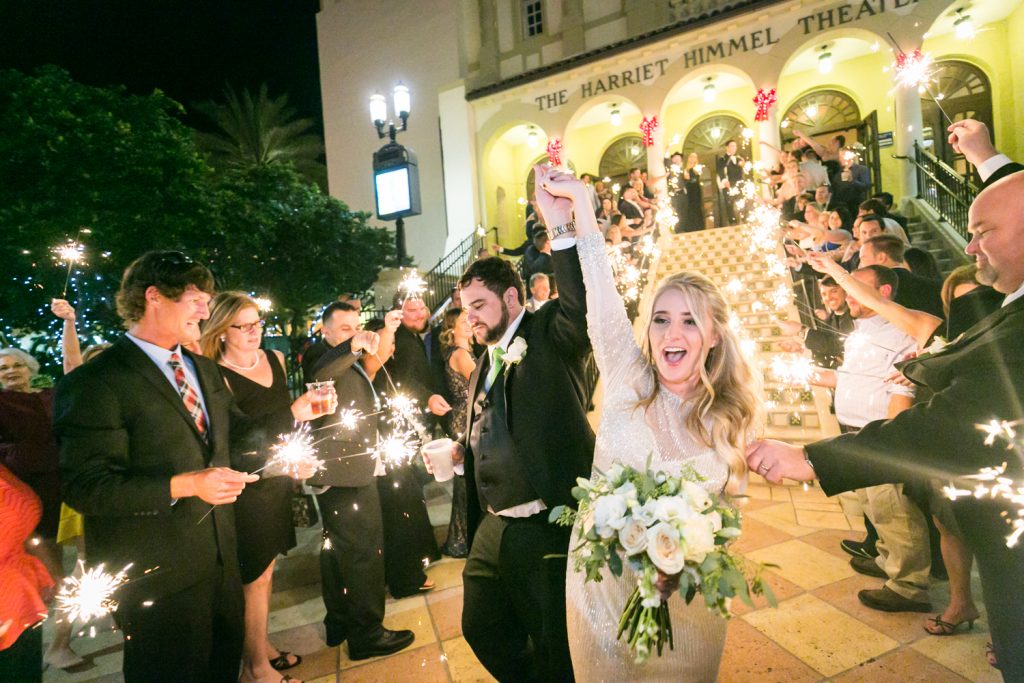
x=262, y=132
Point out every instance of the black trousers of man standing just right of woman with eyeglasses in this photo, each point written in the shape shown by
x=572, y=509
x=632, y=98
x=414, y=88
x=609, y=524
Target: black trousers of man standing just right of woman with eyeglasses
x=353, y=570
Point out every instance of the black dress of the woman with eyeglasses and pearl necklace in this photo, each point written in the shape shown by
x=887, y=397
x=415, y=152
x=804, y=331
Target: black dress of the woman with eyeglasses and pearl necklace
x=264, y=511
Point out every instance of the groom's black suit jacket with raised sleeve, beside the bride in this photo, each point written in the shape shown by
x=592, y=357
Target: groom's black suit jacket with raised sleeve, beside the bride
x=545, y=395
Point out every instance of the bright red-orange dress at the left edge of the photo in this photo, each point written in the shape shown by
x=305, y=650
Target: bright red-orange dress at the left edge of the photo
x=22, y=576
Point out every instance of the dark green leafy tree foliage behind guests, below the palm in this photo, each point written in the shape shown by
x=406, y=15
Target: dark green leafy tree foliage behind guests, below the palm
x=127, y=170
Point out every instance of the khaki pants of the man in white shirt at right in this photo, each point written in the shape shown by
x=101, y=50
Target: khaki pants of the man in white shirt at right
x=905, y=553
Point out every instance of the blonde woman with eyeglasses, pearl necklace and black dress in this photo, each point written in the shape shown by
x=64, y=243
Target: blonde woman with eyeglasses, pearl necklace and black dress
x=264, y=513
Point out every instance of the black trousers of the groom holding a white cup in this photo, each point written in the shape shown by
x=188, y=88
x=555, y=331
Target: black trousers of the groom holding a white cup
x=515, y=600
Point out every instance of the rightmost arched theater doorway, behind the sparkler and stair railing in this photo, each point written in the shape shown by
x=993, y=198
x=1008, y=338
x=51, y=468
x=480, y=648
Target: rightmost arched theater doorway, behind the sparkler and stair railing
x=965, y=93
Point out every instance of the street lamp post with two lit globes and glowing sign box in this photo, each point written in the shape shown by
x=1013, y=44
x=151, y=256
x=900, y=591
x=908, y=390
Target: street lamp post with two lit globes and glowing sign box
x=396, y=176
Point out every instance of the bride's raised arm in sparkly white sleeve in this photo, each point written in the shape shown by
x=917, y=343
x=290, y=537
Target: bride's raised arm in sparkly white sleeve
x=608, y=324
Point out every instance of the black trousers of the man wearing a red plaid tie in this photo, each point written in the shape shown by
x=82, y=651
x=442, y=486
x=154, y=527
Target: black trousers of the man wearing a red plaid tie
x=193, y=635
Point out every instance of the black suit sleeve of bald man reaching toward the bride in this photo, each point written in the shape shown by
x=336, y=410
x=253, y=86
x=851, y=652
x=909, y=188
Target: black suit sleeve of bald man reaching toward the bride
x=934, y=440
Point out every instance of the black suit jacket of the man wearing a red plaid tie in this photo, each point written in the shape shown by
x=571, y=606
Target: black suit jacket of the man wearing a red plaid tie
x=124, y=433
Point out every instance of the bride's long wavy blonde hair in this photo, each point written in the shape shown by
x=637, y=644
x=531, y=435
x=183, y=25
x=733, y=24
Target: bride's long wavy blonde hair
x=729, y=397
